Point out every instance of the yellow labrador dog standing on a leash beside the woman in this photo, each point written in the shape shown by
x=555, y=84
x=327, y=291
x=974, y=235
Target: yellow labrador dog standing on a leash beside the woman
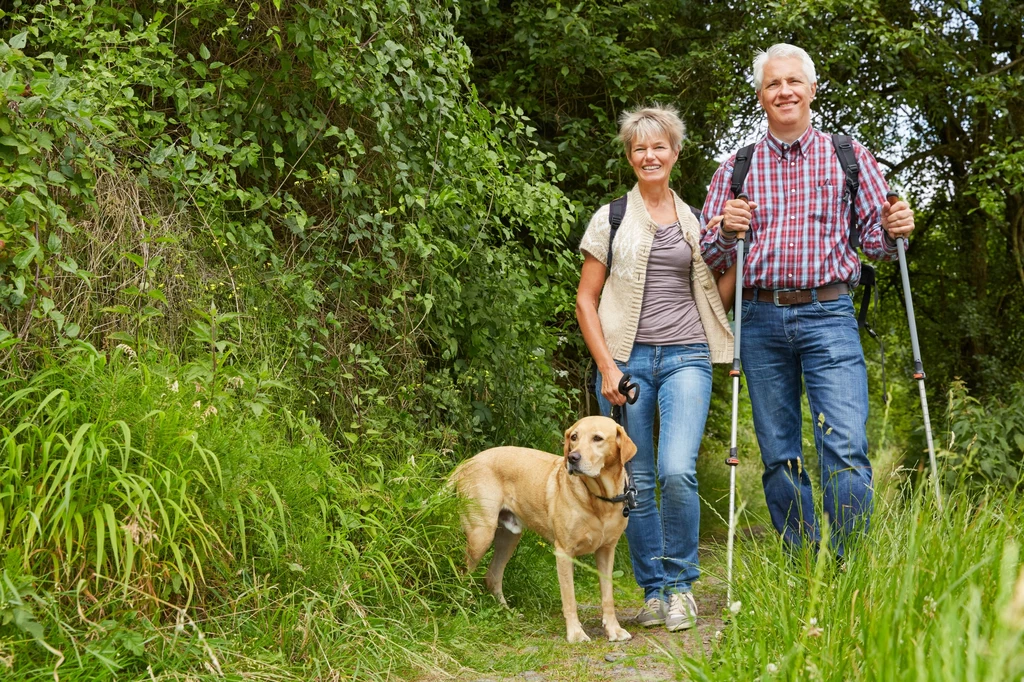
x=560, y=498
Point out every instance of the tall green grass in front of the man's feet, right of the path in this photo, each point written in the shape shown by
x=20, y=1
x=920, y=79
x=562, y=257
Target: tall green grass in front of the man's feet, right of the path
x=926, y=596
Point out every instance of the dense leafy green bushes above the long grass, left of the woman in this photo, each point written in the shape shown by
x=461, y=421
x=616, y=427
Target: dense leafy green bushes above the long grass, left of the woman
x=323, y=174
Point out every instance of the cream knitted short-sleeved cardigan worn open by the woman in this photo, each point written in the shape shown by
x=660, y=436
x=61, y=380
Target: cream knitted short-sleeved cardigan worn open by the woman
x=623, y=292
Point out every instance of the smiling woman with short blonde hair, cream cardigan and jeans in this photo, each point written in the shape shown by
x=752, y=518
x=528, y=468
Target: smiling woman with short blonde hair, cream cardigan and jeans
x=662, y=321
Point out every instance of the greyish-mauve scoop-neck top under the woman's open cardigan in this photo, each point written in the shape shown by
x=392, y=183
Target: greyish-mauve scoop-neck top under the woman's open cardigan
x=669, y=315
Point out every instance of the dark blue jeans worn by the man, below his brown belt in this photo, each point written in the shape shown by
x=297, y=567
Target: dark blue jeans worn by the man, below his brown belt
x=821, y=342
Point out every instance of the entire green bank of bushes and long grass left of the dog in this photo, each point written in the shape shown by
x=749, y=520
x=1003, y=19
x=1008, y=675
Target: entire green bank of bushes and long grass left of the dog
x=274, y=223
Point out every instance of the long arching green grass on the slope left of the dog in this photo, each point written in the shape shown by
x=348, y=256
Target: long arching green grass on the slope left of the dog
x=156, y=523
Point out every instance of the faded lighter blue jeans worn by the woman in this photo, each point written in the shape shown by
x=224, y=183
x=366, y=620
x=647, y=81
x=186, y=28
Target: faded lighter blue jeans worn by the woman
x=675, y=381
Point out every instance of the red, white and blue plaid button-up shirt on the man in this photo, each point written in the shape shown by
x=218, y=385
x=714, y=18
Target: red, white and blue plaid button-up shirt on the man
x=801, y=227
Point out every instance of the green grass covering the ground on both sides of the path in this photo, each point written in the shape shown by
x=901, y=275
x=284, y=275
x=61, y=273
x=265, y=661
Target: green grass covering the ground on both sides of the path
x=148, y=537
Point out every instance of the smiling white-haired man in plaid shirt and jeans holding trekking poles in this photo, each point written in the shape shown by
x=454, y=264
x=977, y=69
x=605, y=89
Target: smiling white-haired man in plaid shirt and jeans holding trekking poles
x=798, y=316
